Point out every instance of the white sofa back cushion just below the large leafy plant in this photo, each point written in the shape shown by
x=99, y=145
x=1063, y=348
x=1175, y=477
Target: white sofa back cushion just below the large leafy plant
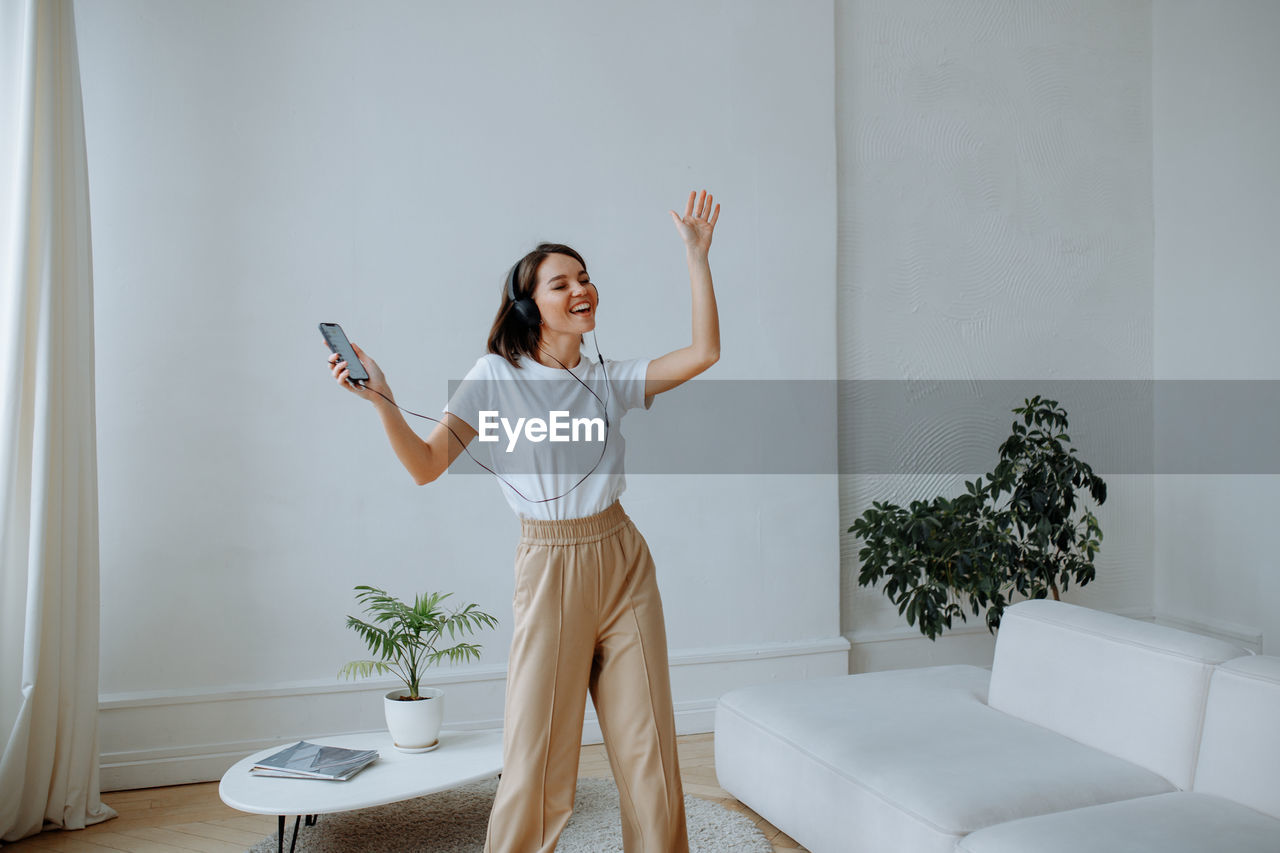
x=1131, y=688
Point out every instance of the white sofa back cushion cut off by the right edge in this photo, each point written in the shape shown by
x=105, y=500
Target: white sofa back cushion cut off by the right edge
x=1240, y=756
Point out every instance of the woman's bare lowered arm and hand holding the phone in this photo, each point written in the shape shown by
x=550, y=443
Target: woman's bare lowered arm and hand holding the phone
x=427, y=460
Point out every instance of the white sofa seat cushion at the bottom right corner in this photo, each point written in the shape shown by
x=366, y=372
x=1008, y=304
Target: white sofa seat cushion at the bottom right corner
x=1180, y=823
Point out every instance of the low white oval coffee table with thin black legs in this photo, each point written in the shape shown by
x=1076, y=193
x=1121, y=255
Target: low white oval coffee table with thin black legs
x=463, y=758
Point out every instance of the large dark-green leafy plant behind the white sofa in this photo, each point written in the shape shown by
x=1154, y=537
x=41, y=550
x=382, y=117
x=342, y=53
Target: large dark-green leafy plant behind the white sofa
x=1022, y=531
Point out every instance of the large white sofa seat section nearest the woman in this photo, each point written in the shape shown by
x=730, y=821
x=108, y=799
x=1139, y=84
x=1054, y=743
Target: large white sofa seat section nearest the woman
x=908, y=760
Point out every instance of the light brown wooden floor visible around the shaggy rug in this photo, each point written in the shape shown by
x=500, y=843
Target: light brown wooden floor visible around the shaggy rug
x=191, y=818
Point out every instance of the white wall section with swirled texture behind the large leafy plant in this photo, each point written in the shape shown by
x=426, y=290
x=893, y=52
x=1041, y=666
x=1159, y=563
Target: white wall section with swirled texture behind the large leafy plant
x=995, y=223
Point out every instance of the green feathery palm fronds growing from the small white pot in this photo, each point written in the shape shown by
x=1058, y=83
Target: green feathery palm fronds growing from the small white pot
x=408, y=646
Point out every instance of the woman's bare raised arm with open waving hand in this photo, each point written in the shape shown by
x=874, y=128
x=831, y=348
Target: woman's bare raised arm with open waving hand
x=682, y=366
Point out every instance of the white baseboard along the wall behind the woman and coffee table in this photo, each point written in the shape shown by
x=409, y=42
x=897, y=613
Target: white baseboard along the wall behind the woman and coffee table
x=173, y=738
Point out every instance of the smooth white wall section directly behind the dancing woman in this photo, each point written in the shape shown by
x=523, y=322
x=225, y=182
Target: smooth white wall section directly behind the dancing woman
x=259, y=168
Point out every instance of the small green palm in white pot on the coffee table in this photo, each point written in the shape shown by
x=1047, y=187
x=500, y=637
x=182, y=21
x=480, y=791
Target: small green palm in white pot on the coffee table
x=405, y=649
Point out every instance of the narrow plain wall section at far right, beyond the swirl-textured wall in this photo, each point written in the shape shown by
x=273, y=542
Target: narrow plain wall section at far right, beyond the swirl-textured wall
x=1218, y=295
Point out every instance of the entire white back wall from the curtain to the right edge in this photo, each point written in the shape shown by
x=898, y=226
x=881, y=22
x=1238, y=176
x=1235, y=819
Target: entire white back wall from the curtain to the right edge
x=1063, y=191
